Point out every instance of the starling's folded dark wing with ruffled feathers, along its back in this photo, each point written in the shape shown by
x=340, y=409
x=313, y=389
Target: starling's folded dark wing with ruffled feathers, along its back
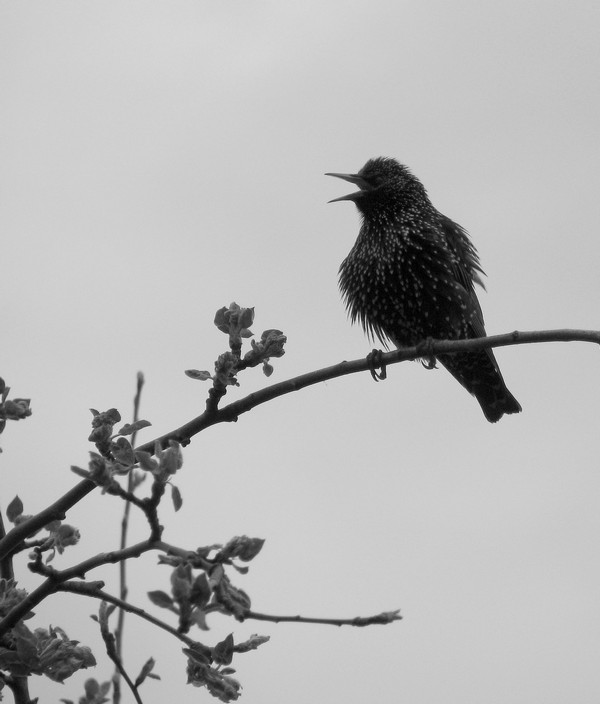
x=467, y=269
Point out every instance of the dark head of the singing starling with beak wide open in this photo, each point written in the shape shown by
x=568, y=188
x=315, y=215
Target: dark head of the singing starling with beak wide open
x=382, y=182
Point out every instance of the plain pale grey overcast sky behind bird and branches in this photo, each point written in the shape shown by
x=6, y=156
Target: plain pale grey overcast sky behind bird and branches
x=159, y=160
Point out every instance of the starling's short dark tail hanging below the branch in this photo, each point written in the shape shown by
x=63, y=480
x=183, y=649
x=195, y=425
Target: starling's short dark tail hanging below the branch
x=478, y=372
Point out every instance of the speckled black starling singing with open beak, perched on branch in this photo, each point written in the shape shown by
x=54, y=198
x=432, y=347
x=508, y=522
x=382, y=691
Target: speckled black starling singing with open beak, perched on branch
x=411, y=277
